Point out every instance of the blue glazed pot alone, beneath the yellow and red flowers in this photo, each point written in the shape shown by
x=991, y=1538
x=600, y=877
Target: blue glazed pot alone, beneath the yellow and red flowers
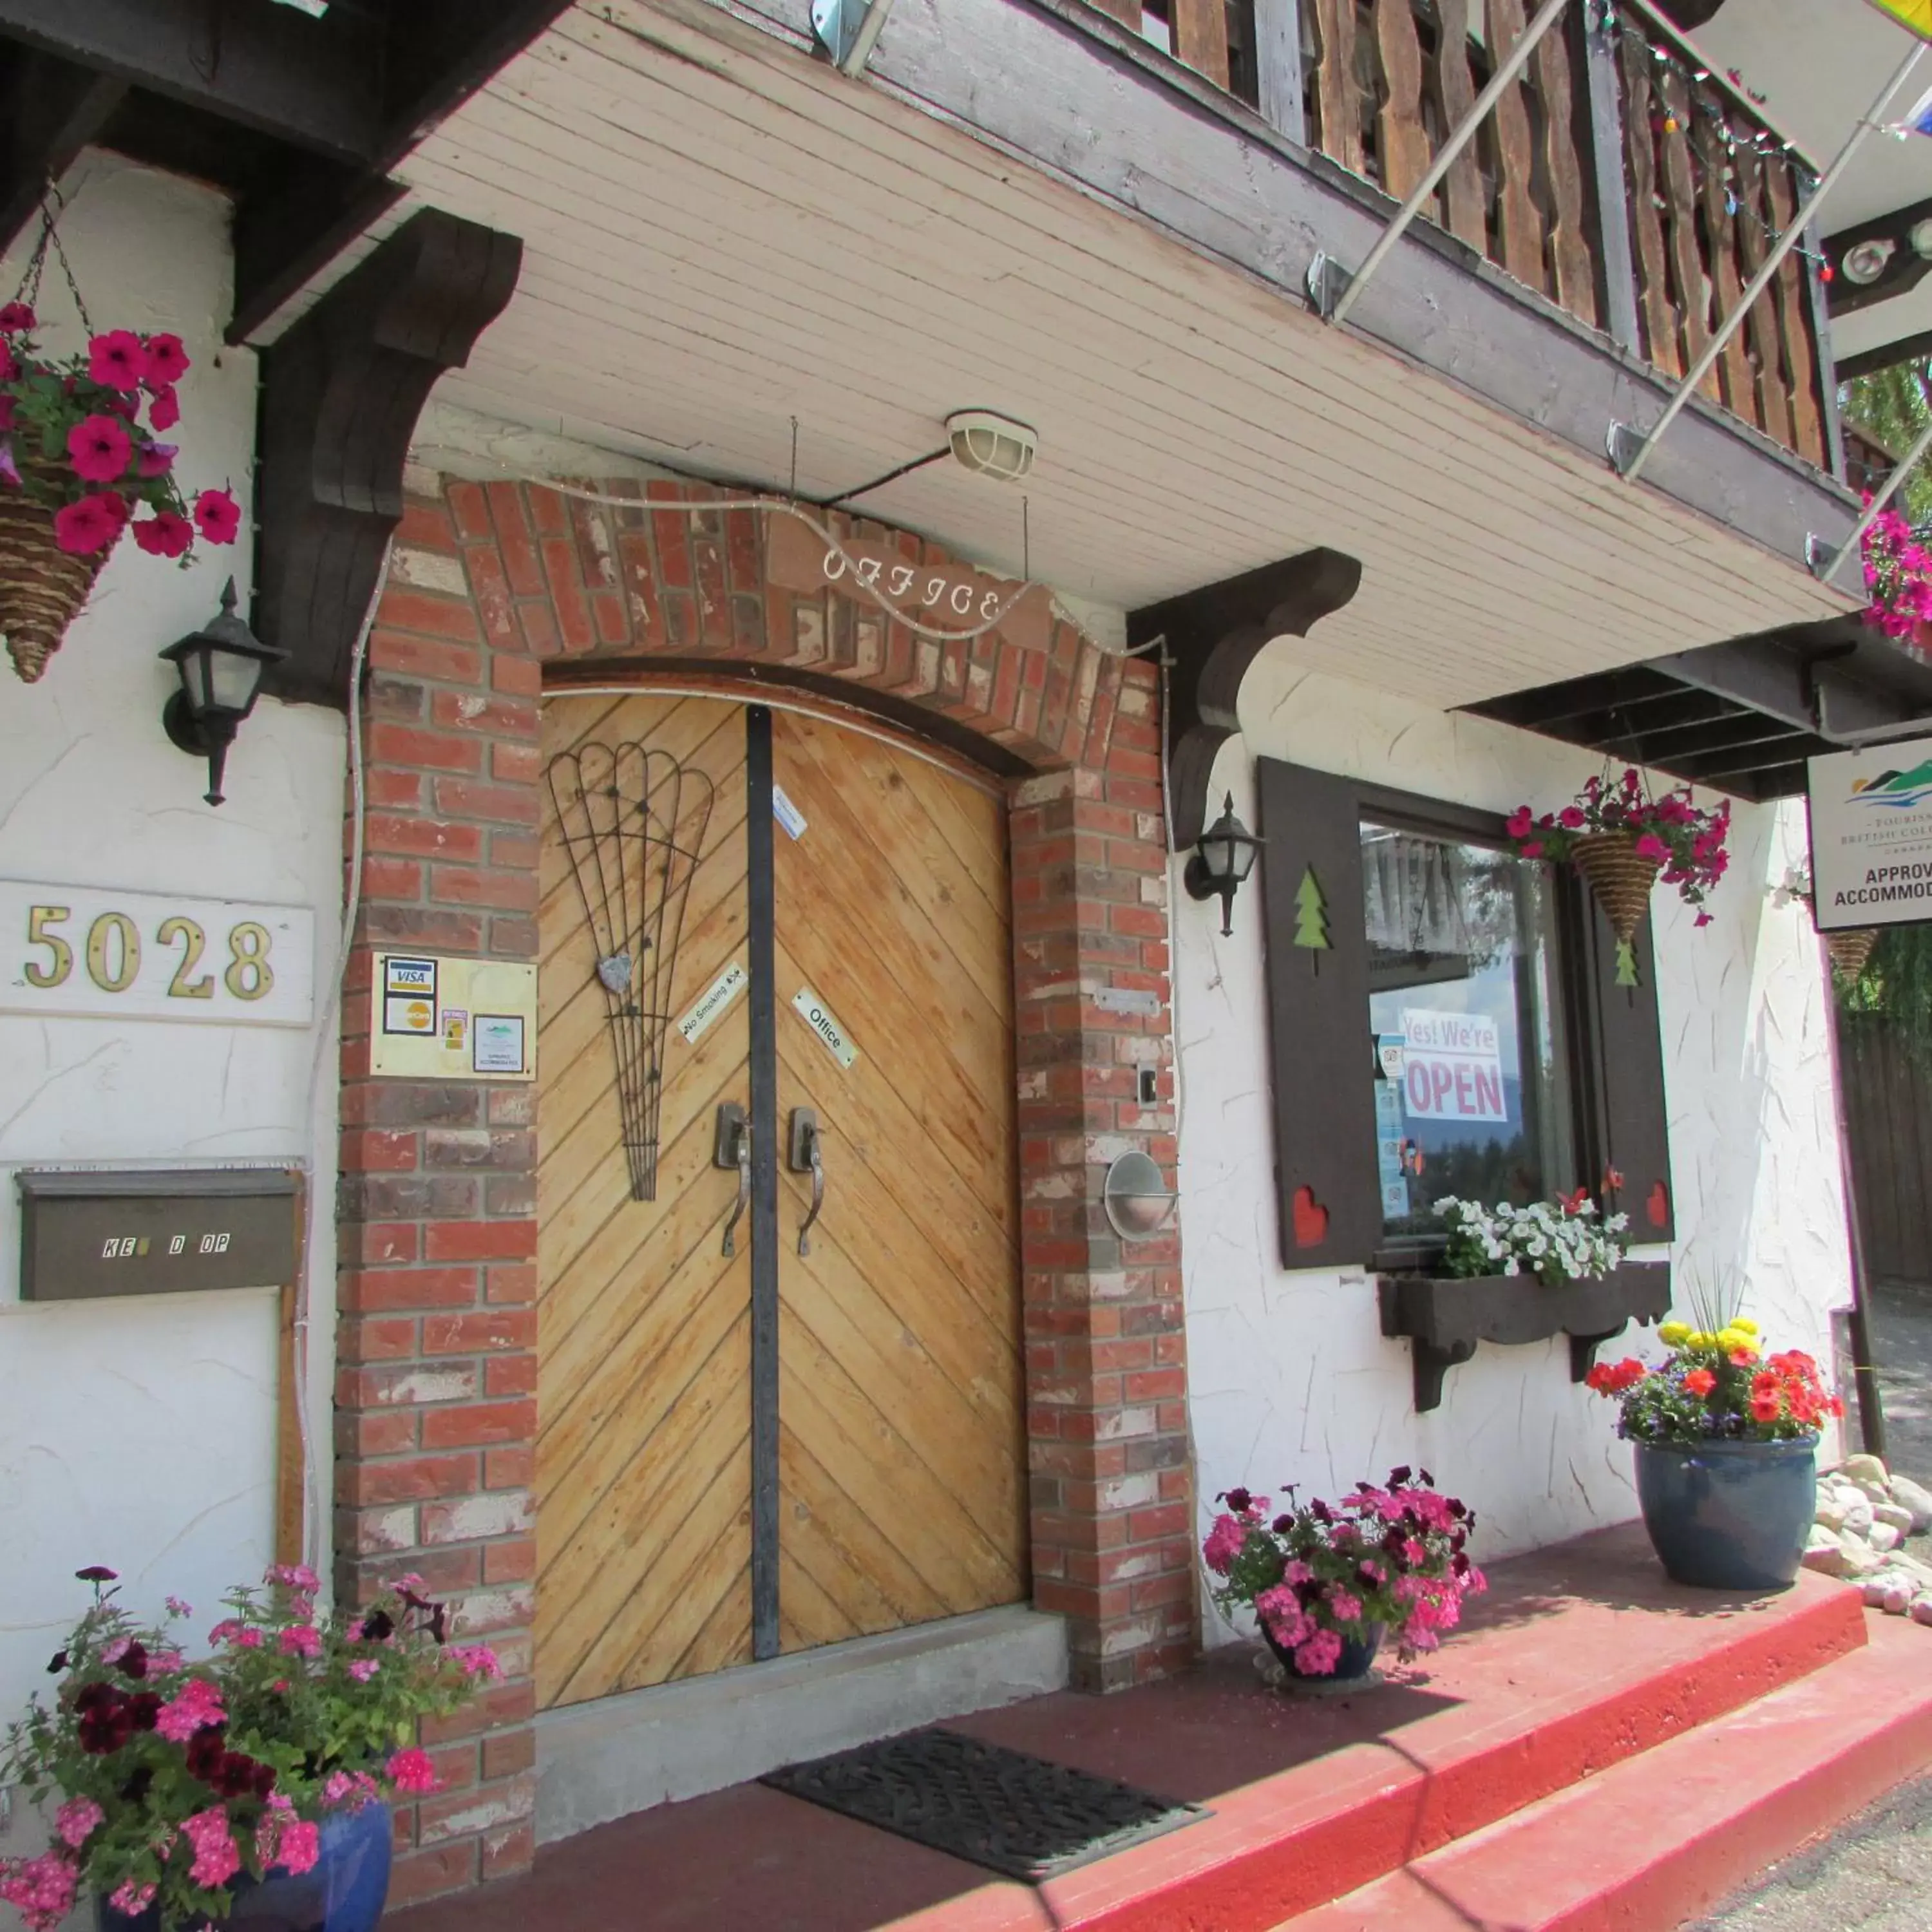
x=1730, y=1516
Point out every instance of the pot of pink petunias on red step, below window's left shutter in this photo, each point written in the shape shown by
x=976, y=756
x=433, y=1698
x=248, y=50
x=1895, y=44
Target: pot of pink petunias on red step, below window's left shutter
x=1328, y=1581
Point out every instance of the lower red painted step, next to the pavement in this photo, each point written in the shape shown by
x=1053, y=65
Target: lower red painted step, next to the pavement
x=1659, y=1840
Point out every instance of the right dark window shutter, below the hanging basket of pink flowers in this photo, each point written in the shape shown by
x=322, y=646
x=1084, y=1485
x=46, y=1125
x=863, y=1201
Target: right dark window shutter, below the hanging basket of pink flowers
x=1624, y=1048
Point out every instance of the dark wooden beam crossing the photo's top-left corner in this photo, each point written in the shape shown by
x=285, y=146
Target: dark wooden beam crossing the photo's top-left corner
x=312, y=82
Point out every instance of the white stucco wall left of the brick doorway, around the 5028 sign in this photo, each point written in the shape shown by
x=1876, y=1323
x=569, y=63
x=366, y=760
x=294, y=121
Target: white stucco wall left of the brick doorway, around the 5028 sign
x=140, y=1433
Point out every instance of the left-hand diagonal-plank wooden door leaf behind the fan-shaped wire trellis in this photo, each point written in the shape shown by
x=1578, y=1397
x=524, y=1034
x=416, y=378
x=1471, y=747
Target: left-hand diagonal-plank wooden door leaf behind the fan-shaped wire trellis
x=644, y=1473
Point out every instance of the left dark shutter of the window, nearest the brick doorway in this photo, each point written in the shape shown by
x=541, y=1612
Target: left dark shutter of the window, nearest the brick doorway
x=1319, y=1019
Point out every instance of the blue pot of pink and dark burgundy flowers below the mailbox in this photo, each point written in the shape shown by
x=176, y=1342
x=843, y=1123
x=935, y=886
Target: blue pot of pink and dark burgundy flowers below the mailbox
x=264, y=1769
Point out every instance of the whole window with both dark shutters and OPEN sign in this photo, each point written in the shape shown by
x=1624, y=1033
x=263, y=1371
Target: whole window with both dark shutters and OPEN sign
x=1444, y=1019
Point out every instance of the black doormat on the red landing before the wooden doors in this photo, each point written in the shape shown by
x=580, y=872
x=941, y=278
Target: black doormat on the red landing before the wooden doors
x=996, y=1807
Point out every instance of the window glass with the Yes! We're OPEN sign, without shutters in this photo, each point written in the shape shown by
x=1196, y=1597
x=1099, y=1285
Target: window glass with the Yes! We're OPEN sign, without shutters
x=1471, y=1069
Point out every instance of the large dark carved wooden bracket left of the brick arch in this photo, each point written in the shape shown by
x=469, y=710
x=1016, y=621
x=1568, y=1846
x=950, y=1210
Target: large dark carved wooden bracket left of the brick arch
x=339, y=403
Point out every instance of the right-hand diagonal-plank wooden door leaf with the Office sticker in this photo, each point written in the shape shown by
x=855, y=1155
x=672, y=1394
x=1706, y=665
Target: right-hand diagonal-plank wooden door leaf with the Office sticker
x=899, y=1342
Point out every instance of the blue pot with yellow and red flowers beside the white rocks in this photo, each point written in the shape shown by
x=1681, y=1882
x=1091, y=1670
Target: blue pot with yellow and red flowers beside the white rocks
x=1726, y=1452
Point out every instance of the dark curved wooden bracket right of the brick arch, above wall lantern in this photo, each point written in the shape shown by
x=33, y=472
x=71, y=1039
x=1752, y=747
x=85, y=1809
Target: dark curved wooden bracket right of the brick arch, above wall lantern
x=1214, y=635
